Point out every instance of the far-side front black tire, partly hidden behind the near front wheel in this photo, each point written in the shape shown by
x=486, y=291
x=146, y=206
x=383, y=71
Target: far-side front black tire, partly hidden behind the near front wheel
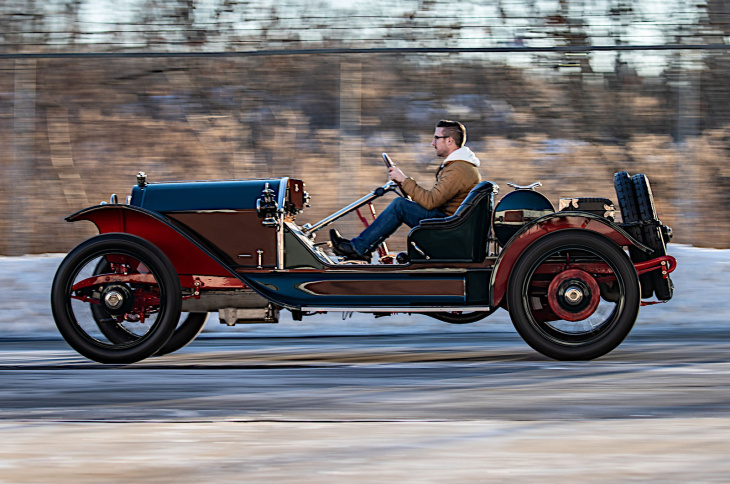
x=189, y=327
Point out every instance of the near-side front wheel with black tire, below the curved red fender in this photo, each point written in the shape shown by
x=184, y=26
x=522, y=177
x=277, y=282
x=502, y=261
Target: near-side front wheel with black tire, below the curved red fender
x=155, y=302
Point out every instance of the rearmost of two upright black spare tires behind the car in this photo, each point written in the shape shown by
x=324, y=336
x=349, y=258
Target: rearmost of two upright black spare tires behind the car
x=652, y=237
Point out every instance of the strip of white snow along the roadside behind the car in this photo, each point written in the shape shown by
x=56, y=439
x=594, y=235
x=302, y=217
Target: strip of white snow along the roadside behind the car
x=701, y=286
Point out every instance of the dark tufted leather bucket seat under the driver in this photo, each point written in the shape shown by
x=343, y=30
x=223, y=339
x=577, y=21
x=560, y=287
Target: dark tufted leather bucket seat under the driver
x=463, y=235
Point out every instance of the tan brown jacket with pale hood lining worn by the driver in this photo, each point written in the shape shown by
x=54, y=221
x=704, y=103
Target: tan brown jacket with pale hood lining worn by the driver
x=453, y=182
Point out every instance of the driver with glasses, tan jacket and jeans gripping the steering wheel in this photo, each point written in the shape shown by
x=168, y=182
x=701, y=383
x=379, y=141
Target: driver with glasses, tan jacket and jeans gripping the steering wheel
x=456, y=176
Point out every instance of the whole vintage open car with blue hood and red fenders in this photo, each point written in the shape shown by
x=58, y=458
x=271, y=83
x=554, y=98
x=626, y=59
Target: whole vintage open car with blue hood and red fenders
x=572, y=279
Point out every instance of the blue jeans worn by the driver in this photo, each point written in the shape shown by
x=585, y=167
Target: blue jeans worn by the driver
x=400, y=211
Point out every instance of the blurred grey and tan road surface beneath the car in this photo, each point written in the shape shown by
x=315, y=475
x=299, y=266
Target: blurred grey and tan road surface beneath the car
x=468, y=407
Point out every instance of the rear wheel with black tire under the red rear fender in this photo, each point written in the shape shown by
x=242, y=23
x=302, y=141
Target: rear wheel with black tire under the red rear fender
x=601, y=330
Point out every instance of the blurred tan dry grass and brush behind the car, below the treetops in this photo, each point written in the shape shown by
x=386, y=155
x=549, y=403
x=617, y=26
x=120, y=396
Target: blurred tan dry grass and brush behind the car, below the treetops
x=95, y=125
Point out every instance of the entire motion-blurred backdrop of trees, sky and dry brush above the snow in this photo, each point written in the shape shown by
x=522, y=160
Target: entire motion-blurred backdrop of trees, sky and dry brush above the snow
x=566, y=92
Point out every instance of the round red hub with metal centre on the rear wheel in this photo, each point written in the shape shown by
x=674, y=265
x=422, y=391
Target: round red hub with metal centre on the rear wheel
x=573, y=295
